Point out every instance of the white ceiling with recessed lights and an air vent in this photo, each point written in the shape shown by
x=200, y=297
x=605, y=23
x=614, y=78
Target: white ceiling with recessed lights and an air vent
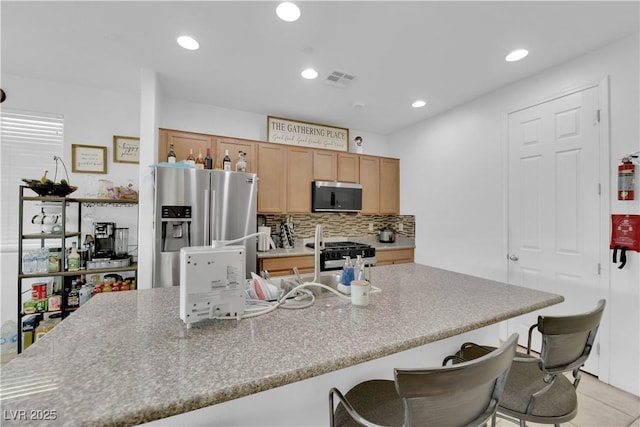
x=444, y=52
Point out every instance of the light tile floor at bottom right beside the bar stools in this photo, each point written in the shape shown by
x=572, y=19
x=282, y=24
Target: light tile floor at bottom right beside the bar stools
x=599, y=405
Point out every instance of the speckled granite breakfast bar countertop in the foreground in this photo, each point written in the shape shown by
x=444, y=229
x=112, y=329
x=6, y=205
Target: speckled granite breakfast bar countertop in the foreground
x=126, y=358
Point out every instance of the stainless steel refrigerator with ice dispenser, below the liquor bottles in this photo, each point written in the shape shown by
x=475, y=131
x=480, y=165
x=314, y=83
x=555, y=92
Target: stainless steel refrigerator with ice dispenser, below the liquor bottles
x=194, y=207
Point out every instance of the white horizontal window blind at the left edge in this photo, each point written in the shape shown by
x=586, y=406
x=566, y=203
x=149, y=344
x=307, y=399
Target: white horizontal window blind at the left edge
x=28, y=142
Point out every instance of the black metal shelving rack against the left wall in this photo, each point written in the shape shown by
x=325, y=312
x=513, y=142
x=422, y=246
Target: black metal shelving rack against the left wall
x=62, y=237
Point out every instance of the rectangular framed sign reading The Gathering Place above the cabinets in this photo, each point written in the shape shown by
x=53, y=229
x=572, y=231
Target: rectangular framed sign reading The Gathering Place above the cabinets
x=312, y=135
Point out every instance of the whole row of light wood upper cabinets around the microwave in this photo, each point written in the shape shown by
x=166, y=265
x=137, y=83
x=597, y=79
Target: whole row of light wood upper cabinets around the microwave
x=286, y=172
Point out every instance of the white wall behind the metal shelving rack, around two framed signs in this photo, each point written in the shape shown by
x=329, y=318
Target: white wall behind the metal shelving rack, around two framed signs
x=91, y=117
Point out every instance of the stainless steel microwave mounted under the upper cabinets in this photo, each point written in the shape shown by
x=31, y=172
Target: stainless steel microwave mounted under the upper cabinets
x=327, y=196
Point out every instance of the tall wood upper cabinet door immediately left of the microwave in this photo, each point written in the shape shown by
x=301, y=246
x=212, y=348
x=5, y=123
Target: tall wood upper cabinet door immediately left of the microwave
x=300, y=174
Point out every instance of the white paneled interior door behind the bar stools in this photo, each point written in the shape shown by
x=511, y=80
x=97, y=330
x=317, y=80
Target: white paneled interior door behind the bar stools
x=554, y=204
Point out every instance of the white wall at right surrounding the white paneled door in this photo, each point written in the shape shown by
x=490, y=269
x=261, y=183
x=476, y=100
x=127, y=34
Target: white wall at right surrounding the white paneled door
x=452, y=180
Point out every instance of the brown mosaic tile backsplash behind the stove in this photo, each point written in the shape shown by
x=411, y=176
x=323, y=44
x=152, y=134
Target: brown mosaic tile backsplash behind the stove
x=341, y=224
